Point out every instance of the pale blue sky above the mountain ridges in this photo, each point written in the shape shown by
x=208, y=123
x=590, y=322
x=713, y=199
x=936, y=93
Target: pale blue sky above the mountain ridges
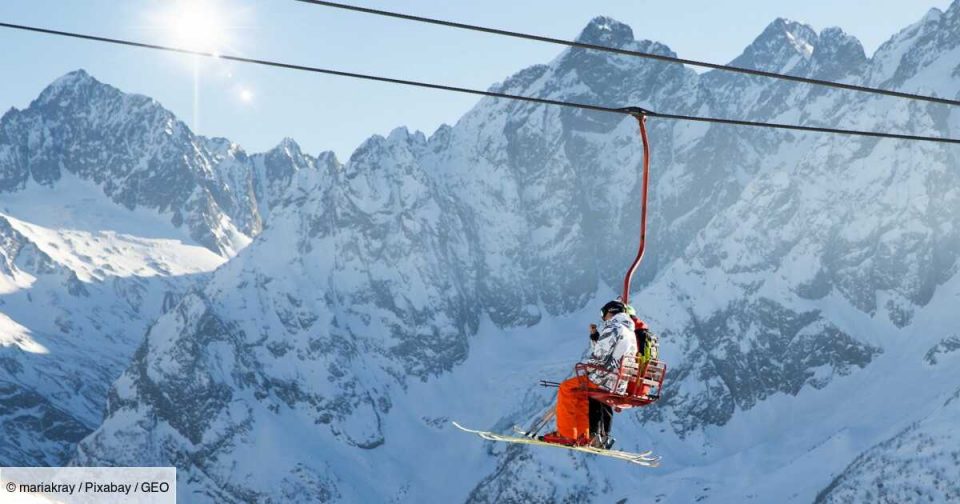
x=258, y=106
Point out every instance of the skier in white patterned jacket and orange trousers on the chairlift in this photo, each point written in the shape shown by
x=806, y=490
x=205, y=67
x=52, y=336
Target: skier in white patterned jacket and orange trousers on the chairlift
x=580, y=419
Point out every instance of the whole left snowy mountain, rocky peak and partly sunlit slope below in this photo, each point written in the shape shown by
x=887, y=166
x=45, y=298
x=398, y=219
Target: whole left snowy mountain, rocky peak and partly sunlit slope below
x=110, y=210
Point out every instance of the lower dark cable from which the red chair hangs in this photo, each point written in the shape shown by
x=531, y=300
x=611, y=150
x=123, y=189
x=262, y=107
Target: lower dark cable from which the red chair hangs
x=634, y=111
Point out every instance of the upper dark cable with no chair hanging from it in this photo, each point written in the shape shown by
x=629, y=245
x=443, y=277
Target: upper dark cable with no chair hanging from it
x=627, y=52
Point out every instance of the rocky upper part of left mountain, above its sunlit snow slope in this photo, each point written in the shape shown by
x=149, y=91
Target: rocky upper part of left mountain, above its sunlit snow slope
x=141, y=156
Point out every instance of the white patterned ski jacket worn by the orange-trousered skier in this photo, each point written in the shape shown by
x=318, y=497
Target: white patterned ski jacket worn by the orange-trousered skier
x=616, y=340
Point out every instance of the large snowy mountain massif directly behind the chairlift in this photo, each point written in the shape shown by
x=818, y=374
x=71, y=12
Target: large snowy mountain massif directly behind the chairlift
x=804, y=286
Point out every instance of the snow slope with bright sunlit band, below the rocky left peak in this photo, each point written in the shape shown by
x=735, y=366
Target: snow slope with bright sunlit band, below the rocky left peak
x=80, y=280
